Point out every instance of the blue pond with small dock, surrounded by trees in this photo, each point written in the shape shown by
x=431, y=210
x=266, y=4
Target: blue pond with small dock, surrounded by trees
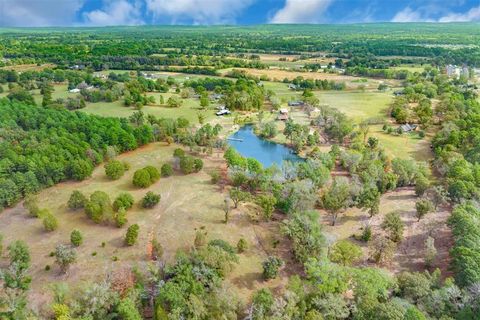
x=267, y=152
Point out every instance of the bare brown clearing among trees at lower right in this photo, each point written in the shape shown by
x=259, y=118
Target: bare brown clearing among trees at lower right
x=410, y=251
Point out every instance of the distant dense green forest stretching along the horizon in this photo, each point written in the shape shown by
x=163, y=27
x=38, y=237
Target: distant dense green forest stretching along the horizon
x=133, y=47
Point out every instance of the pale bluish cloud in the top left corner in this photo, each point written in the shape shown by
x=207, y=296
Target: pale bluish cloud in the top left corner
x=38, y=13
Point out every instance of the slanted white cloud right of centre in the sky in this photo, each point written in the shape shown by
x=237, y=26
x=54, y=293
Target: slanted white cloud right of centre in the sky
x=301, y=11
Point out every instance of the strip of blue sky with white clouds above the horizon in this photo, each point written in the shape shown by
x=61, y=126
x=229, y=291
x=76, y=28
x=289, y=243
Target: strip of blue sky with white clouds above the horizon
x=41, y=13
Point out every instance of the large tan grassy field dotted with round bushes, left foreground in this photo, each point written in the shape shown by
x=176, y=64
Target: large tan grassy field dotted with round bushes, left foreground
x=188, y=202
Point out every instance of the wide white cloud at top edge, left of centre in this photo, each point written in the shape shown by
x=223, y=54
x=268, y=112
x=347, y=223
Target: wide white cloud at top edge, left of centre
x=199, y=11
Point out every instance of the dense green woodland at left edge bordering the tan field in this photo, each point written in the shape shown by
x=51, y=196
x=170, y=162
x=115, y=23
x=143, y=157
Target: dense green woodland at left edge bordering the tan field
x=42, y=146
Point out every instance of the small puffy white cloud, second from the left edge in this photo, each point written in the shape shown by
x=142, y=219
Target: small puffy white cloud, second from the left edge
x=115, y=13
